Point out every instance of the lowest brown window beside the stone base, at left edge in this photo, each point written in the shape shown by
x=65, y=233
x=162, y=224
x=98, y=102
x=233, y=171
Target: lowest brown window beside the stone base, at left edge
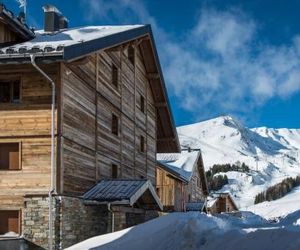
x=9, y=221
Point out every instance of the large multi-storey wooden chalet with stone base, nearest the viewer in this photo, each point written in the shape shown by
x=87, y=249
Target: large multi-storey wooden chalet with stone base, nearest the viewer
x=97, y=163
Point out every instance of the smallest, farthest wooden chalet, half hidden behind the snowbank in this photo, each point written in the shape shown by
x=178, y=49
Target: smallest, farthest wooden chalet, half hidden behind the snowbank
x=221, y=203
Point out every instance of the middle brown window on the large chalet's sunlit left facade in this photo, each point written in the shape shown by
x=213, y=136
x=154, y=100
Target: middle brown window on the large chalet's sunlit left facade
x=10, y=156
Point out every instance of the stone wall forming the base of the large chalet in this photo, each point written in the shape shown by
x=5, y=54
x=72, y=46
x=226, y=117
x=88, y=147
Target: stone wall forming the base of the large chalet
x=74, y=221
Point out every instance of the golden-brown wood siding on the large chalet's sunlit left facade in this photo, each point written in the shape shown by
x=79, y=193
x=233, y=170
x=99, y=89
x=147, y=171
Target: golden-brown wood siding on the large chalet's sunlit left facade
x=27, y=123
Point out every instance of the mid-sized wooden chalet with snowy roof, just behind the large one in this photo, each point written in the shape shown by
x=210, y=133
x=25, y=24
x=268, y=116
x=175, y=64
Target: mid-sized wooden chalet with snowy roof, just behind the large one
x=181, y=180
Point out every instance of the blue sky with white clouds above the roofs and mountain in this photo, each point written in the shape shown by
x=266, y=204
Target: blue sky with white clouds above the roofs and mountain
x=219, y=57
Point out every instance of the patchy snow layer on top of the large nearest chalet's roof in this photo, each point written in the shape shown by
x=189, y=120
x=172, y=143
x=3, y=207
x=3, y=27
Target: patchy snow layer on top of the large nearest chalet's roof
x=54, y=42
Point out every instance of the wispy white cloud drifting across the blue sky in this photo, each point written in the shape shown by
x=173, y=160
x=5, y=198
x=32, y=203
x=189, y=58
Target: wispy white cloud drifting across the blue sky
x=219, y=66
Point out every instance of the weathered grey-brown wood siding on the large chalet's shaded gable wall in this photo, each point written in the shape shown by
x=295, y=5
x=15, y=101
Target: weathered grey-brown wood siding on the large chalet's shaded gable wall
x=88, y=101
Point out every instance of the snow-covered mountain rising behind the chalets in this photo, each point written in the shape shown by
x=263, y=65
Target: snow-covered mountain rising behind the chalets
x=271, y=154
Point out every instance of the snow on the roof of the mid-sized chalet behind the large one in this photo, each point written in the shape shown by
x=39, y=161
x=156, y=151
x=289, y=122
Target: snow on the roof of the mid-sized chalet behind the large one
x=182, y=163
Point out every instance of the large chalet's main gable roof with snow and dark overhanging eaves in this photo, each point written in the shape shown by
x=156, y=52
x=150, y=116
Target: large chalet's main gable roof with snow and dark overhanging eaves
x=71, y=44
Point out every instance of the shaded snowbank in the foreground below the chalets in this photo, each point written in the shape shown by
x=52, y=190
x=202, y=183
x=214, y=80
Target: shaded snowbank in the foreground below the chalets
x=200, y=231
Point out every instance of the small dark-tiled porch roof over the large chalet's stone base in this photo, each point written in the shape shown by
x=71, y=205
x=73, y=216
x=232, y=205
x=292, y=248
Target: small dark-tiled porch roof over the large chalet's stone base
x=123, y=192
